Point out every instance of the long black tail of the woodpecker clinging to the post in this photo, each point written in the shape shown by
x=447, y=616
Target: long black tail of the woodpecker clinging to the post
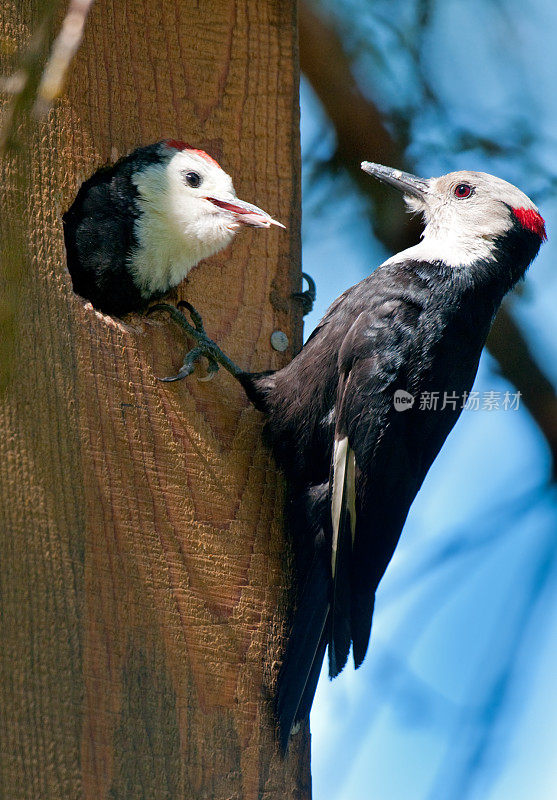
x=305, y=651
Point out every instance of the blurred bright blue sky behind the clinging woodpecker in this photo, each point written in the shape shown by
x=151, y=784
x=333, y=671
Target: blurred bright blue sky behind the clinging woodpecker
x=457, y=696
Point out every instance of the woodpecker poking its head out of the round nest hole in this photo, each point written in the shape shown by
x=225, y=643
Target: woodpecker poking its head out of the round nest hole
x=136, y=228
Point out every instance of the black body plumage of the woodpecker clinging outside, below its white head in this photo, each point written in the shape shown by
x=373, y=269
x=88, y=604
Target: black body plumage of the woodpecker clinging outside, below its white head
x=415, y=326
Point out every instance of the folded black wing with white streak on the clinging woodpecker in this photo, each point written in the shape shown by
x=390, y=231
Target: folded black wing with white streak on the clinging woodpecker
x=375, y=475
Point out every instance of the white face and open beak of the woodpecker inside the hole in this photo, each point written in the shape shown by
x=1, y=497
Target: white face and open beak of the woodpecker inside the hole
x=189, y=212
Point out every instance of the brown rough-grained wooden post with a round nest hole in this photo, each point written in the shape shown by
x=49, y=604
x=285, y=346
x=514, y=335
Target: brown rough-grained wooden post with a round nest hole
x=144, y=573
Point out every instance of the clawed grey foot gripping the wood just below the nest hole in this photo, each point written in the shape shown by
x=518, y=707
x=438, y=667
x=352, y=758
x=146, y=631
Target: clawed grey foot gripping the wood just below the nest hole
x=206, y=347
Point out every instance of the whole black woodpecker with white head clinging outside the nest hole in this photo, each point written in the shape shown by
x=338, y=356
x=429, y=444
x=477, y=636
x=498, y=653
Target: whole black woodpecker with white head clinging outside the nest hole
x=355, y=463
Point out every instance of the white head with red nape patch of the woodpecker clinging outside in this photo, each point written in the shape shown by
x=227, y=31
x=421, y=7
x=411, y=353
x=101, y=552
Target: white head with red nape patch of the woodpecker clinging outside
x=470, y=217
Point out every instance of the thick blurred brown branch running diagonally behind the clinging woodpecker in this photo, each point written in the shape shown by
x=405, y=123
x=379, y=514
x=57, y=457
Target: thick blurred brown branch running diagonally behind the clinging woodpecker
x=362, y=134
